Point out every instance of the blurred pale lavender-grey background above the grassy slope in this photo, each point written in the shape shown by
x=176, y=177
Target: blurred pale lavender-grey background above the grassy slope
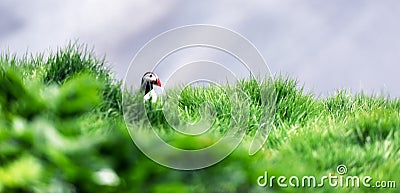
x=326, y=45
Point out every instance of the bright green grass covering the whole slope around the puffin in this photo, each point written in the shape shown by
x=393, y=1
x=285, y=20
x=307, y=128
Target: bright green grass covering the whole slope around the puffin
x=61, y=123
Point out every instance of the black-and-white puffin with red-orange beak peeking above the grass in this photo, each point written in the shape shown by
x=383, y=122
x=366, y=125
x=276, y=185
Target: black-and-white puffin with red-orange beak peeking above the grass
x=148, y=80
